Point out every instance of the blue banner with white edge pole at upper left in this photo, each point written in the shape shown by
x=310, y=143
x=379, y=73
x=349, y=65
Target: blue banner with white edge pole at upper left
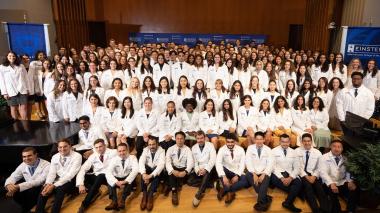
x=28, y=38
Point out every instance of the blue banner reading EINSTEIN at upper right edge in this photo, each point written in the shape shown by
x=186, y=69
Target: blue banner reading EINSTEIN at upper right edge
x=362, y=43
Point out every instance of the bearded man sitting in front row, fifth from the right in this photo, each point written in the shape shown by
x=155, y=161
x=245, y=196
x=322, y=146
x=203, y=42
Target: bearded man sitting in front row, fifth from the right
x=230, y=165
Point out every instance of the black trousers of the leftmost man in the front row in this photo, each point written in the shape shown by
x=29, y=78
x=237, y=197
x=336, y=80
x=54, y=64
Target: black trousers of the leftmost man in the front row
x=28, y=198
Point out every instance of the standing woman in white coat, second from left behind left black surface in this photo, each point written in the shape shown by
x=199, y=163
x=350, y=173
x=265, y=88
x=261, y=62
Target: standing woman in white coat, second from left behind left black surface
x=72, y=101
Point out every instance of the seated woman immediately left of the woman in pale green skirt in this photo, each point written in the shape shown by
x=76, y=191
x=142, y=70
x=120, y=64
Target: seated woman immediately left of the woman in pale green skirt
x=301, y=119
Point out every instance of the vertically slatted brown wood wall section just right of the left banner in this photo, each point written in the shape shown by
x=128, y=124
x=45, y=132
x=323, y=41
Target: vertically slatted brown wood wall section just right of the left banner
x=71, y=23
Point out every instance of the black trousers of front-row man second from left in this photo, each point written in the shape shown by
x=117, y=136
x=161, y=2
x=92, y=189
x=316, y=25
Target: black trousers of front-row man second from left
x=59, y=194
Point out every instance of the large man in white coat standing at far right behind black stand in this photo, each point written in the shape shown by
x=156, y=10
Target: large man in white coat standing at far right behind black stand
x=357, y=99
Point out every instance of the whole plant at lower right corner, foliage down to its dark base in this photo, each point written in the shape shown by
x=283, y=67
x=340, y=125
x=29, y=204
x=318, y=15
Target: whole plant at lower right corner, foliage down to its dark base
x=364, y=167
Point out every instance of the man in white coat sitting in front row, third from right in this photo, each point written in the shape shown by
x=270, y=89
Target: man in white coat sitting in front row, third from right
x=286, y=169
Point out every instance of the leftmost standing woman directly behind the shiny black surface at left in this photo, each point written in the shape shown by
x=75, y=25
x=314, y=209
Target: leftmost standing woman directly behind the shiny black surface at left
x=54, y=102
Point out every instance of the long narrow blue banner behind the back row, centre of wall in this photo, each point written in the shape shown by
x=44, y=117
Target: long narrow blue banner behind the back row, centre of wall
x=192, y=39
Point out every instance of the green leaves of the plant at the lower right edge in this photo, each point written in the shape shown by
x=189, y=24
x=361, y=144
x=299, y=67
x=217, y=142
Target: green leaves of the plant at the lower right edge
x=364, y=166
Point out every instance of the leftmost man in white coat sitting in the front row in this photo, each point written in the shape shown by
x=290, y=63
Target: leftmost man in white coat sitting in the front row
x=25, y=183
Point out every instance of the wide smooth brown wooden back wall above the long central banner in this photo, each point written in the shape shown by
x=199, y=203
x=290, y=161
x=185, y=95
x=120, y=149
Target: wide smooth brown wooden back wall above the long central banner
x=271, y=17
